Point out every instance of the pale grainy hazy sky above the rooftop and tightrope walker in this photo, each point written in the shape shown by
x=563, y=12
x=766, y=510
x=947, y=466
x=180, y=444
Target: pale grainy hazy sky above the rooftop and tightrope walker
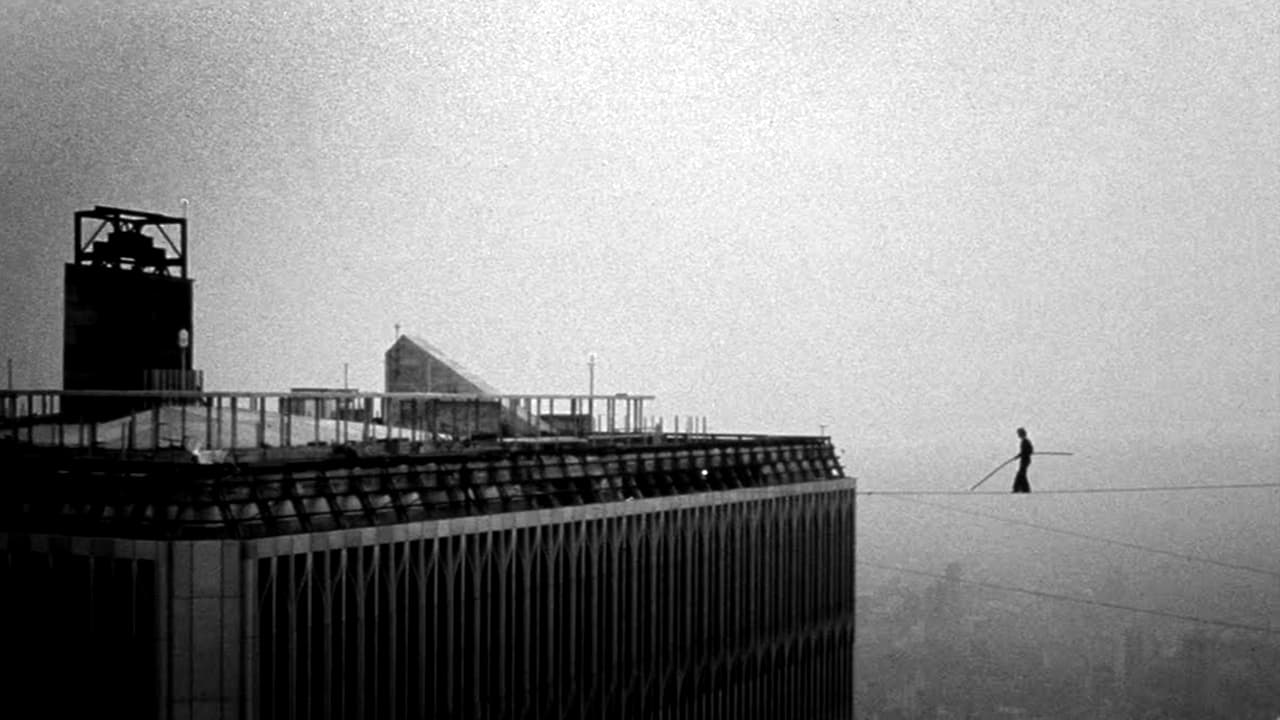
x=921, y=225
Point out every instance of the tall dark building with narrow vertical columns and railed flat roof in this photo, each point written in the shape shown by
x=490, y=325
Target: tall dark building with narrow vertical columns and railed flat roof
x=331, y=566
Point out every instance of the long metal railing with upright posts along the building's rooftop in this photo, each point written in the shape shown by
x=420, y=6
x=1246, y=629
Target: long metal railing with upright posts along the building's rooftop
x=211, y=422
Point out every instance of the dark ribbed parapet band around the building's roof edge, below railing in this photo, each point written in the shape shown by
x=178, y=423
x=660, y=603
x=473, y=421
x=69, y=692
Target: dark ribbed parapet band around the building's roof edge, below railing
x=103, y=498
